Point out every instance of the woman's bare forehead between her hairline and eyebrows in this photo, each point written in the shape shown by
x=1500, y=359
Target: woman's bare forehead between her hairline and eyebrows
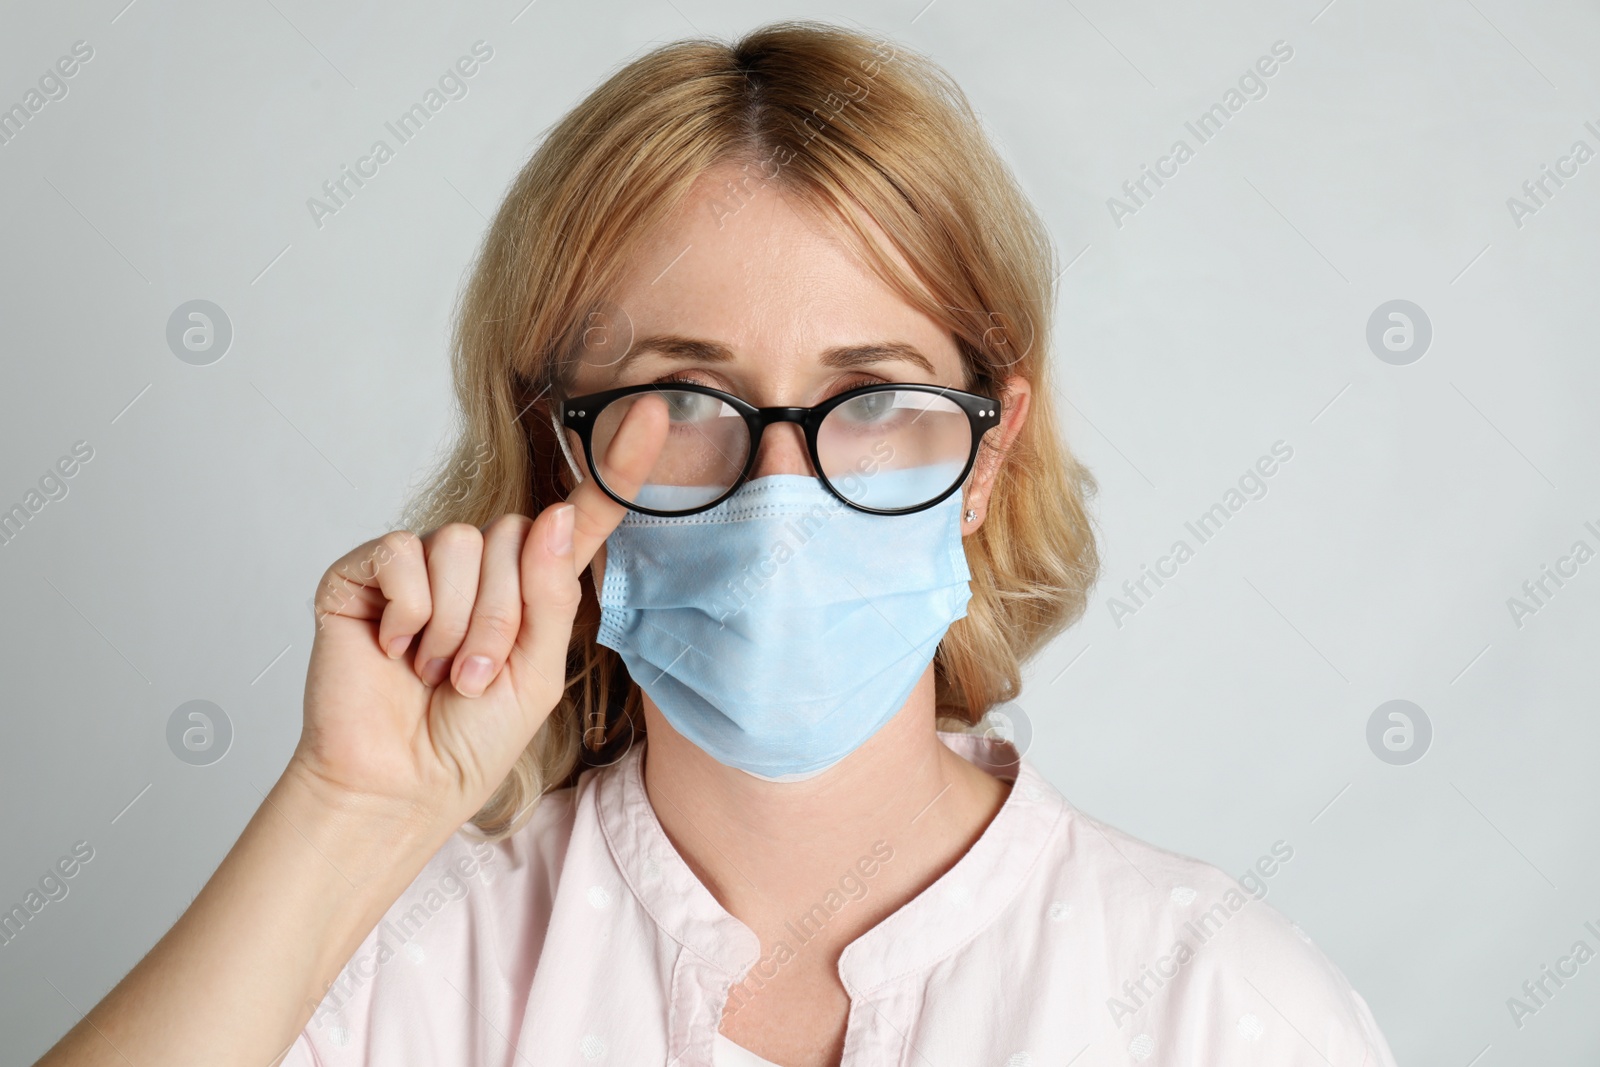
x=754, y=270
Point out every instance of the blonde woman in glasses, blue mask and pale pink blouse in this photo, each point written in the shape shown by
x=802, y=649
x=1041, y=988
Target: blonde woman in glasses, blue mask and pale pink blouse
x=759, y=338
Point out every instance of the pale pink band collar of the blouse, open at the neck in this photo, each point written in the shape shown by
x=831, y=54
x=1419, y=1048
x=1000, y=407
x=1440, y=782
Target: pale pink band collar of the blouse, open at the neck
x=956, y=908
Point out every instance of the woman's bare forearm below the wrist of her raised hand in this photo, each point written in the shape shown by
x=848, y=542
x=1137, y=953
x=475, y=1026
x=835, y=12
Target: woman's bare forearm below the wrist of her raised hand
x=241, y=973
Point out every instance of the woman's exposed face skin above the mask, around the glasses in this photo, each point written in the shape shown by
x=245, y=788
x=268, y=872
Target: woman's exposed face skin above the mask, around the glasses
x=758, y=298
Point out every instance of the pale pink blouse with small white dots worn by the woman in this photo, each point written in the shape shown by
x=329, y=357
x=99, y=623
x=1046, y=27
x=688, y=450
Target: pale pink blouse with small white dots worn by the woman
x=1057, y=940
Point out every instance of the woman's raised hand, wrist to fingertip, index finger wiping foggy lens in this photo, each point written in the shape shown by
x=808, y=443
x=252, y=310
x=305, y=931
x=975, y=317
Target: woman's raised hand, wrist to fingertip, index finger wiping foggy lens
x=438, y=658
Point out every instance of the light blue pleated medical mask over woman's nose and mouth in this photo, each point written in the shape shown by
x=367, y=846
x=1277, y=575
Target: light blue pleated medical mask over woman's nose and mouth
x=782, y=629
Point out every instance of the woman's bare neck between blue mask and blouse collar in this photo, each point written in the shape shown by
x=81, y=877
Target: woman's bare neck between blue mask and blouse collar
x=873, y=831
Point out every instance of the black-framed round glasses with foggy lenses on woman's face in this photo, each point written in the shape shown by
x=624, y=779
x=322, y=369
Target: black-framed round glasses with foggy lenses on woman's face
x=889, y=449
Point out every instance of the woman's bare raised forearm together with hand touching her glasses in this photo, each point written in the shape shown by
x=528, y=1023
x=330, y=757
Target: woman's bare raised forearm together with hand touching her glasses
x=436, y=661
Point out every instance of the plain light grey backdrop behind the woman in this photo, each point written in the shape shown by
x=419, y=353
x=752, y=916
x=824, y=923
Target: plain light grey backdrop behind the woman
x=1230, y=313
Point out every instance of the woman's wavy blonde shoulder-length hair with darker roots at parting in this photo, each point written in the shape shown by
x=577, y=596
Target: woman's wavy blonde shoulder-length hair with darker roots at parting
x=839, y=122
